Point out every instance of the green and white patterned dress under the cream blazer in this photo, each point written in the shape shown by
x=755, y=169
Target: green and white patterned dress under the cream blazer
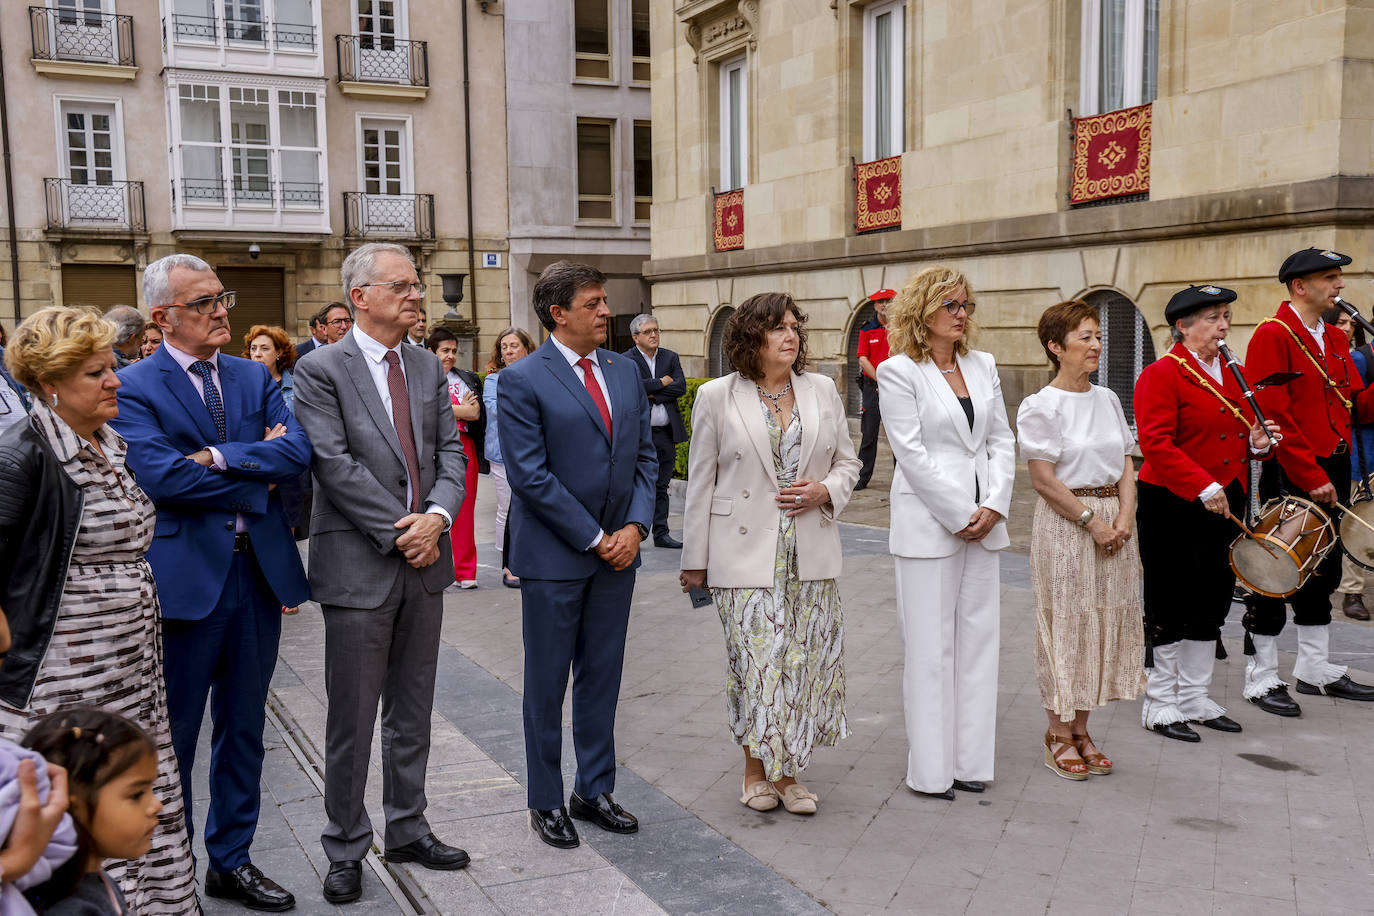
x=787, y=687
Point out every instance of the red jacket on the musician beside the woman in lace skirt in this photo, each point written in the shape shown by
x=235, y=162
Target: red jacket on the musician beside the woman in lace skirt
x=1188, y=435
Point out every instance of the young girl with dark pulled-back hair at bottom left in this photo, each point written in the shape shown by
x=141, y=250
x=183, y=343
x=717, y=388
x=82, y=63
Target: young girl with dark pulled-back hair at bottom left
x=111, y=766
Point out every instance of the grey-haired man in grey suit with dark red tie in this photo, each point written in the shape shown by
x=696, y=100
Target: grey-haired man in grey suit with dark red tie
x=388, y=483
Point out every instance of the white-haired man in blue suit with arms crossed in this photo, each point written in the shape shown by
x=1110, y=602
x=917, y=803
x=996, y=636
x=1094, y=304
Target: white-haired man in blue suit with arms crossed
x=210, y=440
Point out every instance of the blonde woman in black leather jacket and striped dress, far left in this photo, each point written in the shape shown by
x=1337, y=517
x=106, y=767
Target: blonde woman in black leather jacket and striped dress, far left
x=75, y=586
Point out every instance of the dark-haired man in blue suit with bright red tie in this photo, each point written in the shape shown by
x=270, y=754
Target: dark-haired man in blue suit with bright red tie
x=582, y=466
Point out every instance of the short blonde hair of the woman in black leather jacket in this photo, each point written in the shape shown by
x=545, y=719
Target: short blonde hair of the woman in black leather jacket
x=54, y=341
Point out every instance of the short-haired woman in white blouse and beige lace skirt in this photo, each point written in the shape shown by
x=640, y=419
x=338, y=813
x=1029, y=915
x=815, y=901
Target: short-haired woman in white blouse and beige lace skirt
x=1085, y=564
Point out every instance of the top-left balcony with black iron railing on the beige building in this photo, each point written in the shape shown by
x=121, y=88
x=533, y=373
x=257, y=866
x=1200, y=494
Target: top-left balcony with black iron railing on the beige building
x=80, y=43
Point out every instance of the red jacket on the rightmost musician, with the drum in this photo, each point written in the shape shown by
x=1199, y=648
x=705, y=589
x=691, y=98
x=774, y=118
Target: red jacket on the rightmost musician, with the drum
x=1316, y=409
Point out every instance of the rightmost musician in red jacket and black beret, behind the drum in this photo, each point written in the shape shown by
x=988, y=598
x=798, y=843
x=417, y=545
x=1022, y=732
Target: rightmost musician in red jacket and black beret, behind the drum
x=1316, y=458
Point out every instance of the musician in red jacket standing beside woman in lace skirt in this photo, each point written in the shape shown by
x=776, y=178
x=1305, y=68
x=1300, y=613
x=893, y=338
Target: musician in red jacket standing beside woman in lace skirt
x=1196, y=432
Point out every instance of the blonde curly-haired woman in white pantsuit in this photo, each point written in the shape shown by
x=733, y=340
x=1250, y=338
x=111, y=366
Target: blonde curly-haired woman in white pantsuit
x=943, y=411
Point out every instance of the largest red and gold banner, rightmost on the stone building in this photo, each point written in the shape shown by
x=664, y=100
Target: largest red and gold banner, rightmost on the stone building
x=1111, y=156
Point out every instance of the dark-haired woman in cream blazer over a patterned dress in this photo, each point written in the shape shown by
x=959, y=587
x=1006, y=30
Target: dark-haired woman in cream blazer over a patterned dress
x=770, y=468
